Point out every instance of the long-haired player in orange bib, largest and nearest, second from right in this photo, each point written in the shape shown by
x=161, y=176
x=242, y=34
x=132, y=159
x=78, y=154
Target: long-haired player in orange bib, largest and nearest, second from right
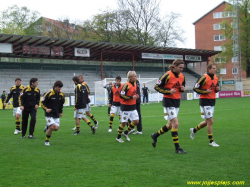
x=171, y=84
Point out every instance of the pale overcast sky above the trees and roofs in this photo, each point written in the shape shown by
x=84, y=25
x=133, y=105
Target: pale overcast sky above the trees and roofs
x=191, y=10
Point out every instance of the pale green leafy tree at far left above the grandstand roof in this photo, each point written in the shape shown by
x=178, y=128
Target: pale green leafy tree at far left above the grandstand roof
x=17, y=20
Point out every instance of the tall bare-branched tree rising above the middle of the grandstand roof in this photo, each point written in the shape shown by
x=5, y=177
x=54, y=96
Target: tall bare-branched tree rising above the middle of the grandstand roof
x=142, y=18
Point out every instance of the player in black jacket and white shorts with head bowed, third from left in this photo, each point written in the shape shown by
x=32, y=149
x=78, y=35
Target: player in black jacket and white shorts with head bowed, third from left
x=52, y=103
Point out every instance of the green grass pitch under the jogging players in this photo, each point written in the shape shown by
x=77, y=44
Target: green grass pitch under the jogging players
x=99, y=160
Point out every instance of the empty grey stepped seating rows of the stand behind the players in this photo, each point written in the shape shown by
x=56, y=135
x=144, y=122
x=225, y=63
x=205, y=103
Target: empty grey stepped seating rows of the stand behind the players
x=48, y=77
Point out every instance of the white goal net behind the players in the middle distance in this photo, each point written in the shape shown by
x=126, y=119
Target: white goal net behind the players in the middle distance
x=101, y=93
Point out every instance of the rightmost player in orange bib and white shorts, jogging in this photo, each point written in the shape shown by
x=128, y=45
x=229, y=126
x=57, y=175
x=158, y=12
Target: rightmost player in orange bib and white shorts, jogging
x=207, y=86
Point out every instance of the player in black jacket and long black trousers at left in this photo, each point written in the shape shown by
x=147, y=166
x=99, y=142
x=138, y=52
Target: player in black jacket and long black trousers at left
x=29, y=101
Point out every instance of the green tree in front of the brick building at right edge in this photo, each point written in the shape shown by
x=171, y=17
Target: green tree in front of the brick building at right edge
x=244, y=27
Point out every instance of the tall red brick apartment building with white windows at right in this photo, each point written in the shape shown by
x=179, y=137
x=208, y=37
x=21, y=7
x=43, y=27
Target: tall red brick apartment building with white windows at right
x=208, y=35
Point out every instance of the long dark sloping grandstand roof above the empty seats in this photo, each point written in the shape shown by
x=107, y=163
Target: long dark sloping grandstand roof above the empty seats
x=98, y=50
